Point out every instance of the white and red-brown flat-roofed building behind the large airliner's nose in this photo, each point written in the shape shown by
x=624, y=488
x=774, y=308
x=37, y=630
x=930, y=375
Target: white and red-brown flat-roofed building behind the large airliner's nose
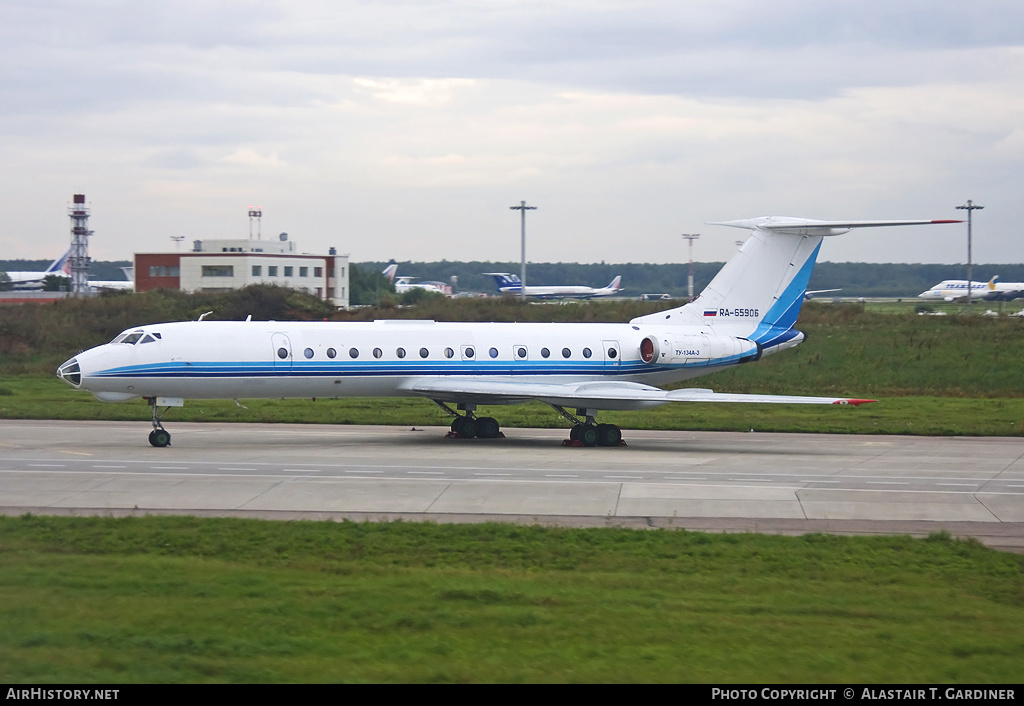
x=219, y=266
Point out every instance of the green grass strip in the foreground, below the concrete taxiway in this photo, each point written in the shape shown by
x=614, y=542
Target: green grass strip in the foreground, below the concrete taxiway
x=177, y=600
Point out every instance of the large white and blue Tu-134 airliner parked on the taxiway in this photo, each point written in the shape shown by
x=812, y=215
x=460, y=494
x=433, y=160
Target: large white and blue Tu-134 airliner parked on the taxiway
x=748, y=311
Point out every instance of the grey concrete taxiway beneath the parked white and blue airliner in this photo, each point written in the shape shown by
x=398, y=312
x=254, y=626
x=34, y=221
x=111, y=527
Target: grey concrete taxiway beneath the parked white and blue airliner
x=787, y=484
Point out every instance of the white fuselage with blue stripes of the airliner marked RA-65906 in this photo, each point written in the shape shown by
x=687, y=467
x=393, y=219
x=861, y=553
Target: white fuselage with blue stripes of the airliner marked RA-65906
x=232, y=360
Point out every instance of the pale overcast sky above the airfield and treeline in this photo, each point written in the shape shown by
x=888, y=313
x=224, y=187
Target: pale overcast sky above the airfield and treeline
x=406, y=131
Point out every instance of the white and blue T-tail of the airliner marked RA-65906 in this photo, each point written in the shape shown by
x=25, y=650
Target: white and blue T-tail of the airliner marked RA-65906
x=759, y=293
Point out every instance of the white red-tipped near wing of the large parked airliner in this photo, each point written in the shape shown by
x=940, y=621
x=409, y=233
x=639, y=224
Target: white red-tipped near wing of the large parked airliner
x=598, y=396
